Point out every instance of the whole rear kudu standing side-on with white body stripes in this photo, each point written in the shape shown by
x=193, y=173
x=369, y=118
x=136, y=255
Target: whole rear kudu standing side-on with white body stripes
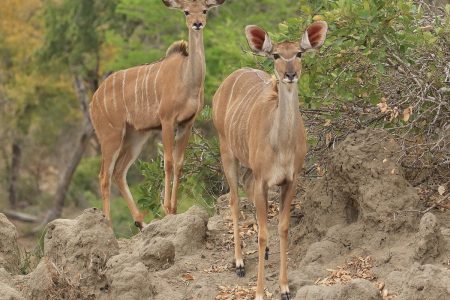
x=133, y=104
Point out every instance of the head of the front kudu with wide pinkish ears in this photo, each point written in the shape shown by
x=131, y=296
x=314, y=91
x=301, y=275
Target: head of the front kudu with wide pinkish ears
x=286, y=55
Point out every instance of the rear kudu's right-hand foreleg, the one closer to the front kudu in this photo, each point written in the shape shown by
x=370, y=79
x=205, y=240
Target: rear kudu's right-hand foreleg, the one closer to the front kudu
x=181, y=142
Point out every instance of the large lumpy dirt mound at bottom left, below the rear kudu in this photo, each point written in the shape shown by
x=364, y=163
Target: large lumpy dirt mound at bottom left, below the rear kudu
x=75, y=256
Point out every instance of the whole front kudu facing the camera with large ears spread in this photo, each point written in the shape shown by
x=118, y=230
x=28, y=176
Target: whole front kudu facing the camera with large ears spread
x=259, y=125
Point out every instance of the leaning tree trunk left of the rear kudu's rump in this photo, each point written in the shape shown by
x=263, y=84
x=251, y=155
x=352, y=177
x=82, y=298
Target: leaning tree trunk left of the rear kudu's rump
x=77, y=155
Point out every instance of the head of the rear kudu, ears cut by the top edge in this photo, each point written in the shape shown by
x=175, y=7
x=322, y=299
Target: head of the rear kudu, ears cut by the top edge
x=194, y=10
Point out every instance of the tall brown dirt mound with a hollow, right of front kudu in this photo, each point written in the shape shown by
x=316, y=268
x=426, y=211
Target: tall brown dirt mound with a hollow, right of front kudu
x=364, y=207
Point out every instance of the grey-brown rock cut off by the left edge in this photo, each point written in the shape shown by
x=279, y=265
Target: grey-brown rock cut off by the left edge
x=9, y=250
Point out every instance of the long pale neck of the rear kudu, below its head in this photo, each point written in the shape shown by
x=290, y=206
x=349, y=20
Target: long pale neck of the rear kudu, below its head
x=195, y=72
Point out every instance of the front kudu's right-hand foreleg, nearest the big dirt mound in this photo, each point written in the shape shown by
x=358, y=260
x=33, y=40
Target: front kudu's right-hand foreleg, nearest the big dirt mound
x=287, y=194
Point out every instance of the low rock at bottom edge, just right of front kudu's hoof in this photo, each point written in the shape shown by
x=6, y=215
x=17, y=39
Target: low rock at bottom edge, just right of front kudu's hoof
x=356, y=290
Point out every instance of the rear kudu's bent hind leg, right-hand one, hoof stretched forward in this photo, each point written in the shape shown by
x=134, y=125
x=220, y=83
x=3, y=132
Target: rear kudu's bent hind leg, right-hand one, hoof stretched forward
x=131, y=149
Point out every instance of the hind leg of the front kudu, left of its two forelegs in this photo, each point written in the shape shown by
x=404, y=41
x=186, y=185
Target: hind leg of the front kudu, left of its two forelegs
x=230, y=167
